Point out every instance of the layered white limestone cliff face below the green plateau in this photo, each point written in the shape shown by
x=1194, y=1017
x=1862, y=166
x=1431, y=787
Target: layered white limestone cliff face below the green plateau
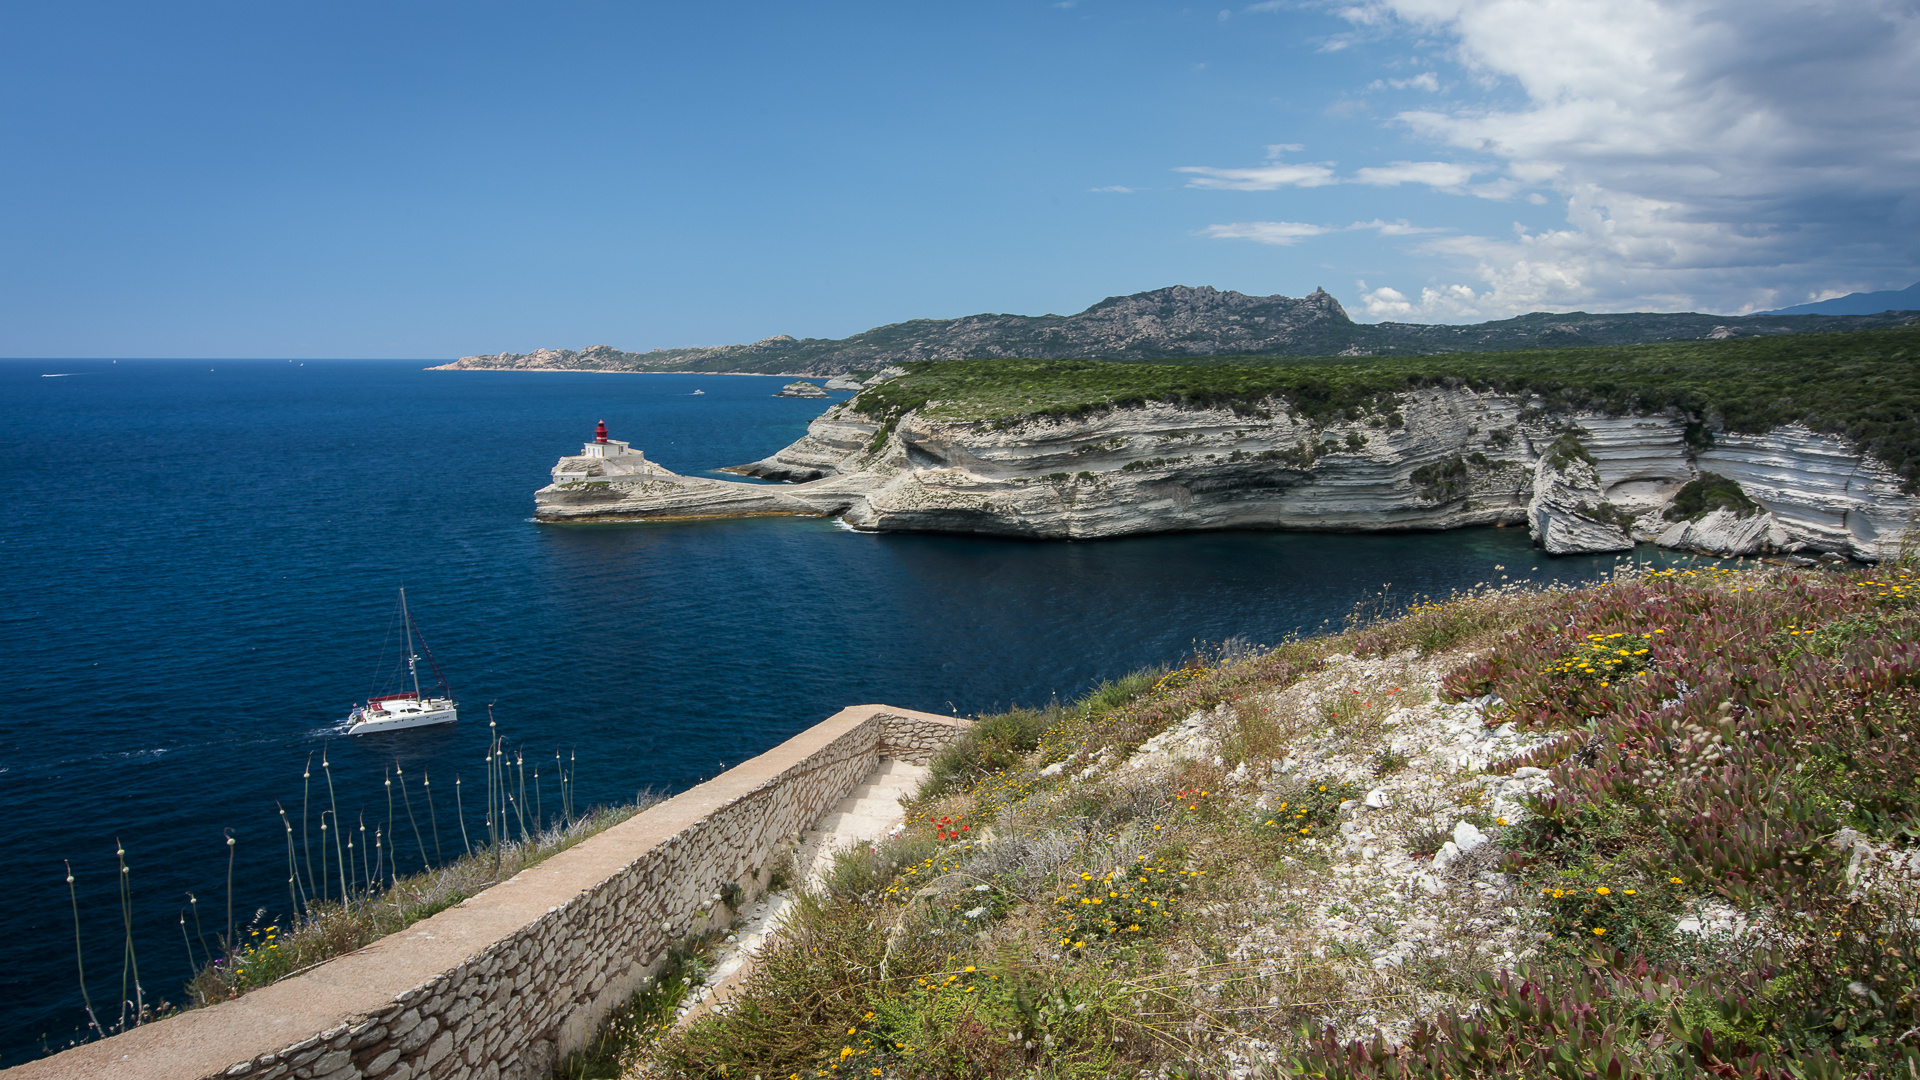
x=1447, y=458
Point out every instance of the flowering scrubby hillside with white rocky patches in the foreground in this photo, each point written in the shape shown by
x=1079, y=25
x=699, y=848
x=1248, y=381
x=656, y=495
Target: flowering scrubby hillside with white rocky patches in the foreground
x=1660, y=827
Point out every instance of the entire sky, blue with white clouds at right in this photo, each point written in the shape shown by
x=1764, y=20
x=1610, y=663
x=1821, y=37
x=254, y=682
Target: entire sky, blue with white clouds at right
x=427, y=182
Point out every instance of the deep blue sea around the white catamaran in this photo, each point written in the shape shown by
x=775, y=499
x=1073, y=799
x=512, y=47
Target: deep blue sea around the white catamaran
x=201, y=562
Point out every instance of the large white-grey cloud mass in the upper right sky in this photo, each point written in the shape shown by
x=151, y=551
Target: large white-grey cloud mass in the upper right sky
x=1710, y=155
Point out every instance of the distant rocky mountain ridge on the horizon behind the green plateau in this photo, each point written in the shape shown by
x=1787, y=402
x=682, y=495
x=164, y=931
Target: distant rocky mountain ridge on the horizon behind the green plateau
x=1170, y=324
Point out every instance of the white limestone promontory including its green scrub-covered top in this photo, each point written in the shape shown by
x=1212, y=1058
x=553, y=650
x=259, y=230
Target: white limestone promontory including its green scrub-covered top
x=1798, y=445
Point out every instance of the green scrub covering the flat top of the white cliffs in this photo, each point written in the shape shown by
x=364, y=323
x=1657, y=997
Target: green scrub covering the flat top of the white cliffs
x=1860, y=385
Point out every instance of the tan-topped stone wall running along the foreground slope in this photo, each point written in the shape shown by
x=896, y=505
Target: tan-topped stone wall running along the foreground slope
x=508, y=981
